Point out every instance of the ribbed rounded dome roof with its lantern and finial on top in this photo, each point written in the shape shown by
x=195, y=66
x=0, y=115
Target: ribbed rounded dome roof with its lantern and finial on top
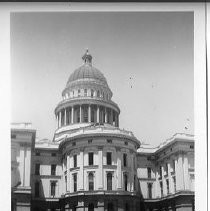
x=87, y=71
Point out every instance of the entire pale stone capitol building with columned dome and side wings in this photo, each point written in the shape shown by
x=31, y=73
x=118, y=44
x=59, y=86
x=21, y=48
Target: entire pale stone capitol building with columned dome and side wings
x=92, y=164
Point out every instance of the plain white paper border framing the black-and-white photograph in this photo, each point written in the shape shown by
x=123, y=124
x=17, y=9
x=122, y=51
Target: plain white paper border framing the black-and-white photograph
x=199, y=80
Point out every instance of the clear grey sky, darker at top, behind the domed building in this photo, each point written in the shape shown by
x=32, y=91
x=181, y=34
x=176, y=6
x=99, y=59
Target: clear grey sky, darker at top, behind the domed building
x=146, y=57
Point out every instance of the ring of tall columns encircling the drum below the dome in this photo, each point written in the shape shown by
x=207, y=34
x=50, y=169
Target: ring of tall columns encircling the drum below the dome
x=87, y=113
